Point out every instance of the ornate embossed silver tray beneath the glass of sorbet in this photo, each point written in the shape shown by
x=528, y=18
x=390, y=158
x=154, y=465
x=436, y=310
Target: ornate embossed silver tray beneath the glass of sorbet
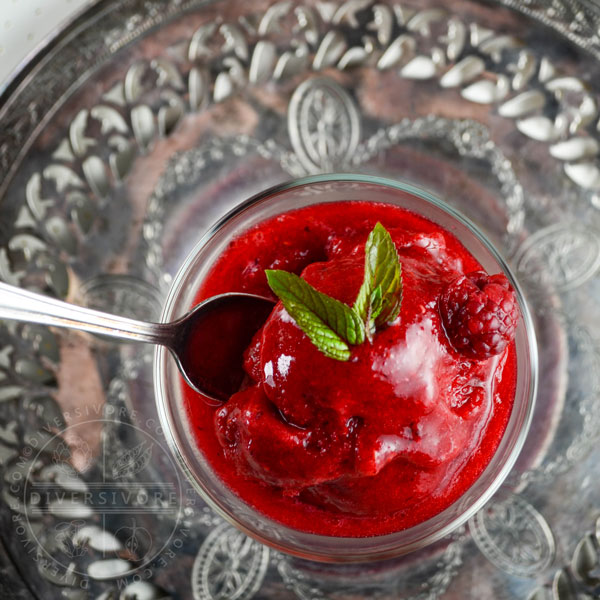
x=141, y=123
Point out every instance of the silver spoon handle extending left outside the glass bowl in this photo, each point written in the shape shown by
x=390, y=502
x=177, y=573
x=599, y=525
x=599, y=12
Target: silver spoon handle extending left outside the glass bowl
x=22, y=305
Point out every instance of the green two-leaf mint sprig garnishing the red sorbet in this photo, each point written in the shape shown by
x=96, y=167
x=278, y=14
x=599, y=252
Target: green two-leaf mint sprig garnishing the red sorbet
x=330, y=324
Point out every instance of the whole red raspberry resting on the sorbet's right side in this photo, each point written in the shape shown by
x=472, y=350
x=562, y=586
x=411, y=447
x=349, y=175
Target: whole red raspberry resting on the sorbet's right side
x=479, y=313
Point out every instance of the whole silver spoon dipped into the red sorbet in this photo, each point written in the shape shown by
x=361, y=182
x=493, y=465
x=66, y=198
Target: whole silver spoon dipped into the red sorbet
x=208, y=342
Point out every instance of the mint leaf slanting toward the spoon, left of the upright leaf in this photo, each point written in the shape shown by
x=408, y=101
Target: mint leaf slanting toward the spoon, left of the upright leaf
x=330, y=324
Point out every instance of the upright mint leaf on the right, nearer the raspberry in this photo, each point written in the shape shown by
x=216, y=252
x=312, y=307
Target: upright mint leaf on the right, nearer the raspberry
x=382, y=270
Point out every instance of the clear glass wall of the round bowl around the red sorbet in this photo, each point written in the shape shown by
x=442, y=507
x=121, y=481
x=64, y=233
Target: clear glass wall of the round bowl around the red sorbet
x=173, y=415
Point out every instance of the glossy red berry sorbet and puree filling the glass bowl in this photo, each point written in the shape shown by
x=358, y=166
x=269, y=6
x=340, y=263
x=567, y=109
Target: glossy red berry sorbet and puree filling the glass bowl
x=398, y=432
